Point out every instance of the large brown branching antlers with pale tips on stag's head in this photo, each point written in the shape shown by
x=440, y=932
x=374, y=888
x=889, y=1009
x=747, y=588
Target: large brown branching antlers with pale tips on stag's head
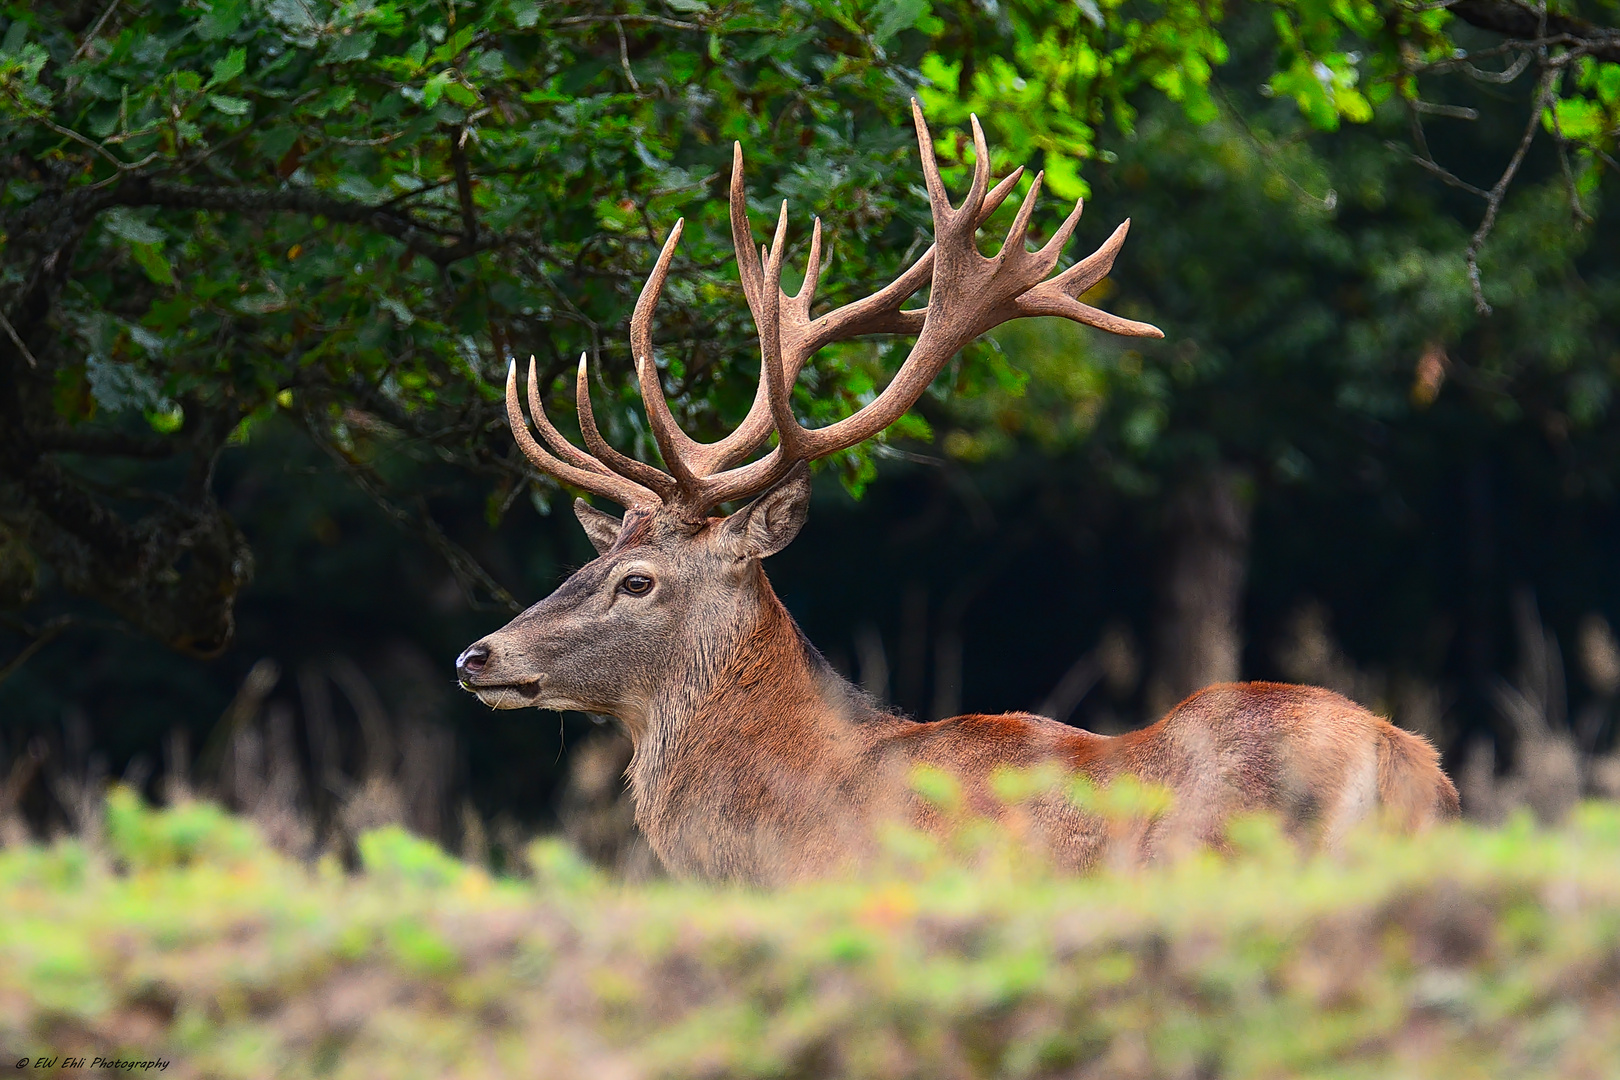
x=970, y=296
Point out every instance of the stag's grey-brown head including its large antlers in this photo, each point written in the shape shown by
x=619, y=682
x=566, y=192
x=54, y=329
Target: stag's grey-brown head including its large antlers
x=673, y=584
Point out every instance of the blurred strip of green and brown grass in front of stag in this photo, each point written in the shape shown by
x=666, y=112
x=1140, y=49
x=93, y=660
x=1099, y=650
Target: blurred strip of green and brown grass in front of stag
x=1462, y=953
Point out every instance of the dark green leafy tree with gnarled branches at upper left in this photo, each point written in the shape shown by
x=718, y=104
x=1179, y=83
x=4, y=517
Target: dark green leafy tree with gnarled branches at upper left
x=356, y=213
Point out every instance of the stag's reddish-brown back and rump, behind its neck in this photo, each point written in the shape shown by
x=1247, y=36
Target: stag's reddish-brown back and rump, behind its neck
x=1307, y=754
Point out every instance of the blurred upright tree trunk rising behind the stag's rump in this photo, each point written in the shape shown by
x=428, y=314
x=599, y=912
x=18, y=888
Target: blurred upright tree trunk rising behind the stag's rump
x=1200, y=634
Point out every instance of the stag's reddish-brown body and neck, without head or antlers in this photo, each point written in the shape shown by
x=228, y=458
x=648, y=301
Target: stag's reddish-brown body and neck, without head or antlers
x=783, y=772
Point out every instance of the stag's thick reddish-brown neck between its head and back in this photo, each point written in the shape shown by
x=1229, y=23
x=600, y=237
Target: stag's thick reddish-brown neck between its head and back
x=735, y=760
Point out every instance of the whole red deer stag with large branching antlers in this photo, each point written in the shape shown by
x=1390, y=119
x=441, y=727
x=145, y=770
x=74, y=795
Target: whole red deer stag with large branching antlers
x=754, y=760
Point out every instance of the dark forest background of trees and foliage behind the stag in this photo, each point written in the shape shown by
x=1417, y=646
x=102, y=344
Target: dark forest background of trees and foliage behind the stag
x=257, y=491
